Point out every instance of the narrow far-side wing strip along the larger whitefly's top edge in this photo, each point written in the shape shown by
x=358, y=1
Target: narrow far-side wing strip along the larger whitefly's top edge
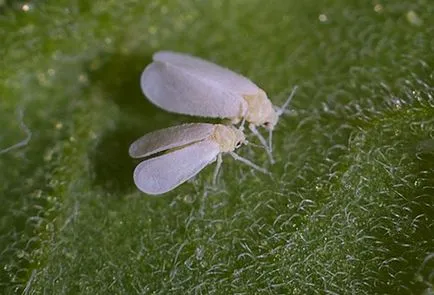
x=208, y=72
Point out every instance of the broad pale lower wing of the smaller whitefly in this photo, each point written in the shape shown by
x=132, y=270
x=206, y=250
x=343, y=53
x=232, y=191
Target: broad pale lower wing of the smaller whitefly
x=162, y=174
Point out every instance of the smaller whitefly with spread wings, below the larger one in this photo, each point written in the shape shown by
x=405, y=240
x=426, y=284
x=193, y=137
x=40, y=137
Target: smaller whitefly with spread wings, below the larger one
x=184, y=151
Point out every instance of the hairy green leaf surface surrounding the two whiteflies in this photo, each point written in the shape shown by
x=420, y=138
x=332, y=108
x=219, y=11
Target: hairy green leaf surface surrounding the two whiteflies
x=350, y=208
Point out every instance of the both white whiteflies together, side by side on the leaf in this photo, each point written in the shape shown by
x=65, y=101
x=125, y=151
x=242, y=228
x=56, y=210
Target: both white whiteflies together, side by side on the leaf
x=185, y=84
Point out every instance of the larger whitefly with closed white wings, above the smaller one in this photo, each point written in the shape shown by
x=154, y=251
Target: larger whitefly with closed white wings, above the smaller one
x=189, y=85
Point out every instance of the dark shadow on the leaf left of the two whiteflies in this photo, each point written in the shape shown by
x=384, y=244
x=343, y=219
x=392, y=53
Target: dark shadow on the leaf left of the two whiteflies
x=118, y=76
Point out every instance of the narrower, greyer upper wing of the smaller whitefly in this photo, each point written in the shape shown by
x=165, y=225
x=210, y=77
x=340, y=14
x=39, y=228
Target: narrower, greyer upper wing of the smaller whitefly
x=169, y=138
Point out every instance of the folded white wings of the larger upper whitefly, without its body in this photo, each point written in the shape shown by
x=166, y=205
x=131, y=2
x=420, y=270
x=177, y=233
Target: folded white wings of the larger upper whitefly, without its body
x=184, y=84
